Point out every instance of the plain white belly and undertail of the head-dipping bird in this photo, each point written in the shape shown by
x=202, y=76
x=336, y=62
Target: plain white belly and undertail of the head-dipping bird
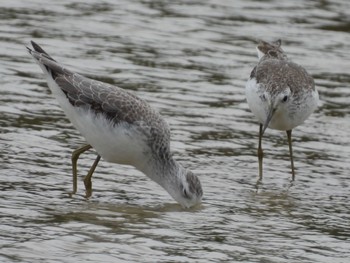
x=121, y=143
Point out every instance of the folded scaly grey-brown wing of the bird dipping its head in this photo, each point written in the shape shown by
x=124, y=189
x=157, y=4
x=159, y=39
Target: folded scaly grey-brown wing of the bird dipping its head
x=115, y=103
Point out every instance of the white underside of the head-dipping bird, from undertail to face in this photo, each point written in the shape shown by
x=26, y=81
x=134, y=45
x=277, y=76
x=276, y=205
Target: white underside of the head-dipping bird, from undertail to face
x=123, y=144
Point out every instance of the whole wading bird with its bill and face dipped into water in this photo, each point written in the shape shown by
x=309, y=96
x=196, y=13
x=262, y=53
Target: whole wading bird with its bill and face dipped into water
x=121, y=127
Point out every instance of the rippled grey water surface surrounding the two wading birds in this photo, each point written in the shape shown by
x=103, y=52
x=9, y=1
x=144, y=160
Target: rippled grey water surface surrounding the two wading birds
x=190, y=60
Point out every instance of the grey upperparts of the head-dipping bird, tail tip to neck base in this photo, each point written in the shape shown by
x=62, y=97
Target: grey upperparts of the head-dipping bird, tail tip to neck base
x=114, y=103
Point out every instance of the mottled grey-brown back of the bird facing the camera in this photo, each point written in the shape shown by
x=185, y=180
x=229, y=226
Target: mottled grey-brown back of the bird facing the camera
x=274, y=72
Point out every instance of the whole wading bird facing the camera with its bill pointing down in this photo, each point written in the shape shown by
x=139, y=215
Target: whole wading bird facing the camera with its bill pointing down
x=280, y=93
